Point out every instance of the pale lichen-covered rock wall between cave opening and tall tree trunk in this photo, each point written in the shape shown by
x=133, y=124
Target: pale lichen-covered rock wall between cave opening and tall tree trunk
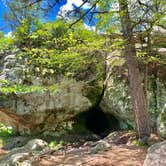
x=116, y=99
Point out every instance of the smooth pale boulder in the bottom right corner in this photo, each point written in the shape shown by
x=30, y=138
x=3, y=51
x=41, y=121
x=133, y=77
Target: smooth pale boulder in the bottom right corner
x=156, y=155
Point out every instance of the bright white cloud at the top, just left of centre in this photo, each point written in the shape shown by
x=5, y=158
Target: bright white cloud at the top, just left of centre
x=69, y=6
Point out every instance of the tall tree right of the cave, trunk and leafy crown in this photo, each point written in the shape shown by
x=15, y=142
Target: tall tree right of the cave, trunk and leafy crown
x=134, y=16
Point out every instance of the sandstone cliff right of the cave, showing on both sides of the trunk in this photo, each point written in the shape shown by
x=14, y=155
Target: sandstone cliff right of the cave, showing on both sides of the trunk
x=117, y=100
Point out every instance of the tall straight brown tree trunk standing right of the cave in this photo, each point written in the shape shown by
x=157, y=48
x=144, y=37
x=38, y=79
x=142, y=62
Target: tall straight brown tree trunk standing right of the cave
x=138, y=97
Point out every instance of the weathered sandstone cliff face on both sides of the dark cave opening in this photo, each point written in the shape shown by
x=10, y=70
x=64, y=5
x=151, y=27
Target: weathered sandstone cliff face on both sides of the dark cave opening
x=59, y=99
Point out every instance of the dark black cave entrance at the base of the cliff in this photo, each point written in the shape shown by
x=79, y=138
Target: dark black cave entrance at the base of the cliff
x=97, y=122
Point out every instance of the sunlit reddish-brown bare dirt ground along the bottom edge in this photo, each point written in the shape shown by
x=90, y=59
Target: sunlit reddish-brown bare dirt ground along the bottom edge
x=121, y=155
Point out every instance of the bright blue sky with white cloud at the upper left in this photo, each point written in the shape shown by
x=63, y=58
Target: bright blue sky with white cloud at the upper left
x=64, y=6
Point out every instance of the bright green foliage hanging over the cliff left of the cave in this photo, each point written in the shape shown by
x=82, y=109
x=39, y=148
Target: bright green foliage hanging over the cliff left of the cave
x=54, y=49
